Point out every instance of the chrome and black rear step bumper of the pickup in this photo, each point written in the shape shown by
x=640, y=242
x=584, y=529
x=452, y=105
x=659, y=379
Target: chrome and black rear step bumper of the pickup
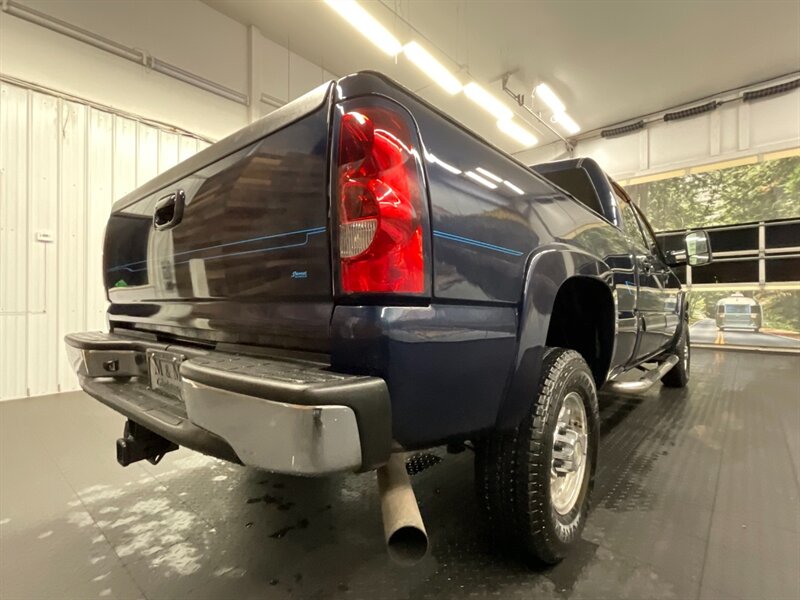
x=284, y=415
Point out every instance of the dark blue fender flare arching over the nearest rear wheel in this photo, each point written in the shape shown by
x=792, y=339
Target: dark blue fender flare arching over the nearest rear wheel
x=546, y=272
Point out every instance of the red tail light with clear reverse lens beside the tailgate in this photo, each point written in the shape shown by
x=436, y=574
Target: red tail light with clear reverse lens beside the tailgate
x=380, y=201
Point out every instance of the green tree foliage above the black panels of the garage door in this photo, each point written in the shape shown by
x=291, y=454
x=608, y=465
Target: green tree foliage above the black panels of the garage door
x=762, y=191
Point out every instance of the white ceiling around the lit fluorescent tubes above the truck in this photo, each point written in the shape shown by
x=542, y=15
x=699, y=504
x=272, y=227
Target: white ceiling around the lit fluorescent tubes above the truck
x=608, y=60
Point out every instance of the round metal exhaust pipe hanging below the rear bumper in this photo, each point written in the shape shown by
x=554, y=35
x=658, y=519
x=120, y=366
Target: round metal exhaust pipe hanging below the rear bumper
x=406, y=539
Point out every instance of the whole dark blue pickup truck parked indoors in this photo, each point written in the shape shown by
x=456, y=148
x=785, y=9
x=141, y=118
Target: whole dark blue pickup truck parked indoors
x=356, y=276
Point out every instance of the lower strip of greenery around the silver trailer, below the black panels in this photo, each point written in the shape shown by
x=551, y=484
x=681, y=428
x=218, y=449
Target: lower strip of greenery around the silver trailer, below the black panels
x=780, y=308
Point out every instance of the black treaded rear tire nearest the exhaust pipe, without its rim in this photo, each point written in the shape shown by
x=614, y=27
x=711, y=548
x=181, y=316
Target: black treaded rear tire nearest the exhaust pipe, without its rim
x=512, y=469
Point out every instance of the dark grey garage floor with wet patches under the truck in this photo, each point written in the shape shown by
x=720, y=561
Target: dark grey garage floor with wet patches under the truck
x=697, y=496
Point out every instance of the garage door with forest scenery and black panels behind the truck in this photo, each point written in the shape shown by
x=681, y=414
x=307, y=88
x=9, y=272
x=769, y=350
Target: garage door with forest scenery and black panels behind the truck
x=750, y=295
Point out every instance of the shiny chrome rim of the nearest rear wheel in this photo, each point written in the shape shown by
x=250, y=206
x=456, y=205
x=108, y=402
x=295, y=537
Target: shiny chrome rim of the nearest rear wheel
x=569, y=454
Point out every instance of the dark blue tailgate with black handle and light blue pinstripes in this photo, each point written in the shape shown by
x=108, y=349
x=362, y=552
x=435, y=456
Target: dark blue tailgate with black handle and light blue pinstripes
x=232, y=245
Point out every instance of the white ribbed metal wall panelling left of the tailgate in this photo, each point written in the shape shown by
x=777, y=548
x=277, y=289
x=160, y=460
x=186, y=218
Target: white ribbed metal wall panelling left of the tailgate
x=62, y=165
